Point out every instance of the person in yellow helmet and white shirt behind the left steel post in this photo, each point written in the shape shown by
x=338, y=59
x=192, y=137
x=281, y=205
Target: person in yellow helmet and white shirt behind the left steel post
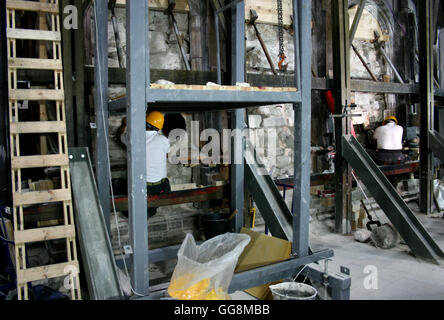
x=157, y=148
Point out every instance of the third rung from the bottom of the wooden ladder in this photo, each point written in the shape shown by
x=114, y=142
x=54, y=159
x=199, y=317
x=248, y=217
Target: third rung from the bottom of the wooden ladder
x=38, y=197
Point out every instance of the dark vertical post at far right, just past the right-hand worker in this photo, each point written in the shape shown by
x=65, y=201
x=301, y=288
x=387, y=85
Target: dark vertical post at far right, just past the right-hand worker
x=427, y=102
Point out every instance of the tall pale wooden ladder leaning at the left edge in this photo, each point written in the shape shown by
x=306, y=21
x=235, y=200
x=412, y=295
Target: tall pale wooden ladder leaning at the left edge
x=51, y=95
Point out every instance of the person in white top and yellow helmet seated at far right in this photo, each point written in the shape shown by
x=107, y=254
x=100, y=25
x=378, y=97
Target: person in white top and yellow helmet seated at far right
x=389, y=142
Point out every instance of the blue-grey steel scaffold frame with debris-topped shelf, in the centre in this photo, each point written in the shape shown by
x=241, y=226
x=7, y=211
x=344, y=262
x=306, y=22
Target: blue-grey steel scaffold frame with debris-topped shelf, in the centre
x=140, y=95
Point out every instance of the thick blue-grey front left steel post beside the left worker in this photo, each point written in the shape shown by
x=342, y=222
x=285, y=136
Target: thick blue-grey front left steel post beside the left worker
x=136, y=83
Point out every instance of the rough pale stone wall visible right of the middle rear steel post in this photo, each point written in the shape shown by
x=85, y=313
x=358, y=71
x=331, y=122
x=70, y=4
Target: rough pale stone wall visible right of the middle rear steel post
x=370, y=105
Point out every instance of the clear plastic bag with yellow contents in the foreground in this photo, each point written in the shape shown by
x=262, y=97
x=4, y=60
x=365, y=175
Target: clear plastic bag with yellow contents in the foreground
x=204, y=272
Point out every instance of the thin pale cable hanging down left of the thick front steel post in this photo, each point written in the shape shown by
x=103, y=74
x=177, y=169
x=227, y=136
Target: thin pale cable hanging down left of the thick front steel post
x=99, y=71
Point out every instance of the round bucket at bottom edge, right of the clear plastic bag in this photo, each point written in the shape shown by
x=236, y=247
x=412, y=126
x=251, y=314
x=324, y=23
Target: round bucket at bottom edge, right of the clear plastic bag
x=293, y=291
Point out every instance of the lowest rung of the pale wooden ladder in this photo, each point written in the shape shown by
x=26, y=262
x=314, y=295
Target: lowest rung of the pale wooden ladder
x=47, y=272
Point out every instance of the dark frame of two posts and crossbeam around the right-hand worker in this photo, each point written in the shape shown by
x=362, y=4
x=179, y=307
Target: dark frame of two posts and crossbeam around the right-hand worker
x=343, y=85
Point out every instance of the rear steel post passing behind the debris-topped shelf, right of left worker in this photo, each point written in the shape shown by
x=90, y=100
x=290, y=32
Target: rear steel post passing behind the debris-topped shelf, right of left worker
x=238, y=116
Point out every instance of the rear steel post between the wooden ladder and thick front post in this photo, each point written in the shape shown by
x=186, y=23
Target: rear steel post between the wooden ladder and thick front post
x=101, y=104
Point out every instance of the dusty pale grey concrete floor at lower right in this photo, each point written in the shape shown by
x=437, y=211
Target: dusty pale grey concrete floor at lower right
x=400, y=276
